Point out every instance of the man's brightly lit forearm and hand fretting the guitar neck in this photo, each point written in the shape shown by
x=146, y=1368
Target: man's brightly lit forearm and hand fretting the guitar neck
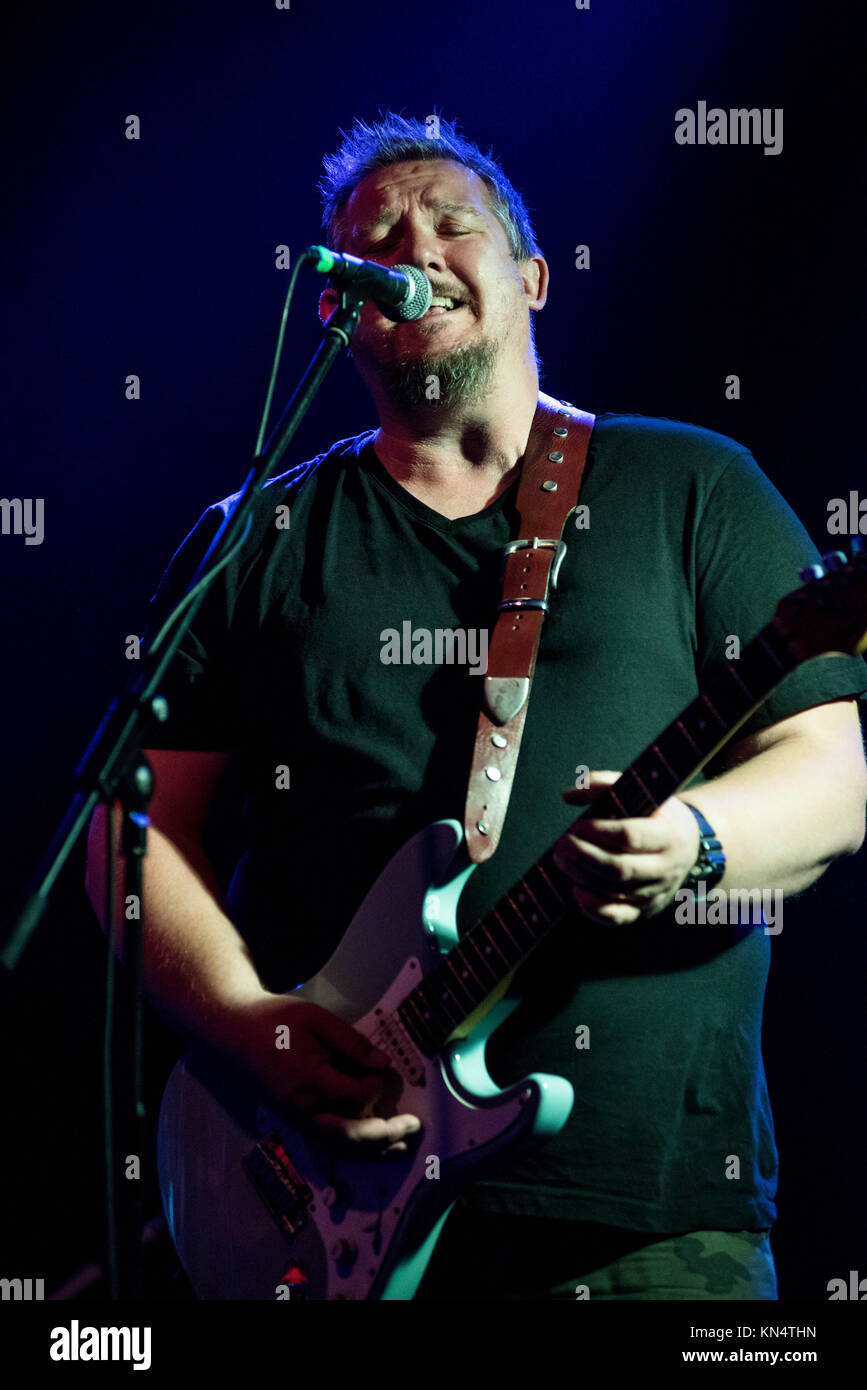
x=791, y=803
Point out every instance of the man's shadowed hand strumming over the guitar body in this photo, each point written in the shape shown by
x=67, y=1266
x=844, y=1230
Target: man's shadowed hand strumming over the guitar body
x=330, y=1075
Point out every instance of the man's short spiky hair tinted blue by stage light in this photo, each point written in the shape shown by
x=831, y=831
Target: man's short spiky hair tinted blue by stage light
x=394, y=140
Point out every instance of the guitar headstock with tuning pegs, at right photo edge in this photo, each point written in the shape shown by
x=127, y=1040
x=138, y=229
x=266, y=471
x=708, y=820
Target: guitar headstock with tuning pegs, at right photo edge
x=829, y=614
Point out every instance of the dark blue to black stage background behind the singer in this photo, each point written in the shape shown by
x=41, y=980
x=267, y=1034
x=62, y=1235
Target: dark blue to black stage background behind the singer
x=158, y=256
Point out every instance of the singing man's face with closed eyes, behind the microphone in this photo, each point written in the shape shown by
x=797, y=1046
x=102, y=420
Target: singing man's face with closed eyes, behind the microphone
x=436, y=215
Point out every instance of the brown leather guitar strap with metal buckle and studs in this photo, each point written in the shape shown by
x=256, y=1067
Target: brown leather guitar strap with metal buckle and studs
x=548, y=496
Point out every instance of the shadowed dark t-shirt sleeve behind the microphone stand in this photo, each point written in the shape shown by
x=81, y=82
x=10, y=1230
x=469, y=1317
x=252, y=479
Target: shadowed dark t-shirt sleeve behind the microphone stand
x=201, y=685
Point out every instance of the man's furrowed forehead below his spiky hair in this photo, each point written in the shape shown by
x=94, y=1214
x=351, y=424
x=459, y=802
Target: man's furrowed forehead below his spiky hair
x=438, y=186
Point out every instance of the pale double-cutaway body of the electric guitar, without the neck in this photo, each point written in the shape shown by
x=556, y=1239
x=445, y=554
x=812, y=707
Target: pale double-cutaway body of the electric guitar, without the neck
x=259, y=1209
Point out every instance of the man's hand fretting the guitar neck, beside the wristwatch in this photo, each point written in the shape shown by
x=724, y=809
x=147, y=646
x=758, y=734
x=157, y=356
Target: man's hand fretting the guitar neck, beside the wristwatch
x=627, y=869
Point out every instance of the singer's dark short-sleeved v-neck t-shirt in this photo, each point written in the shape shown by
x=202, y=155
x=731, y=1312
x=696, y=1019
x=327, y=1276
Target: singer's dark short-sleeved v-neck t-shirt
x=688, y=544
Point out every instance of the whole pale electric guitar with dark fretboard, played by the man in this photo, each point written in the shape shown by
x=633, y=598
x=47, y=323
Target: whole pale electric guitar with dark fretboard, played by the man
x=262, y=1209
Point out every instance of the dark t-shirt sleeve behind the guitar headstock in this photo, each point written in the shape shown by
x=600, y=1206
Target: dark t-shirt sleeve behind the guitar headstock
x=750, y=548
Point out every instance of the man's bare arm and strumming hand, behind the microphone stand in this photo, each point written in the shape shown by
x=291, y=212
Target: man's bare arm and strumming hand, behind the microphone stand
x=199, y=974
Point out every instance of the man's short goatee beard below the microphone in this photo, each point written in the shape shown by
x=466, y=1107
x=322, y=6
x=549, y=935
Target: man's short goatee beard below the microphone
x=456, y=377
